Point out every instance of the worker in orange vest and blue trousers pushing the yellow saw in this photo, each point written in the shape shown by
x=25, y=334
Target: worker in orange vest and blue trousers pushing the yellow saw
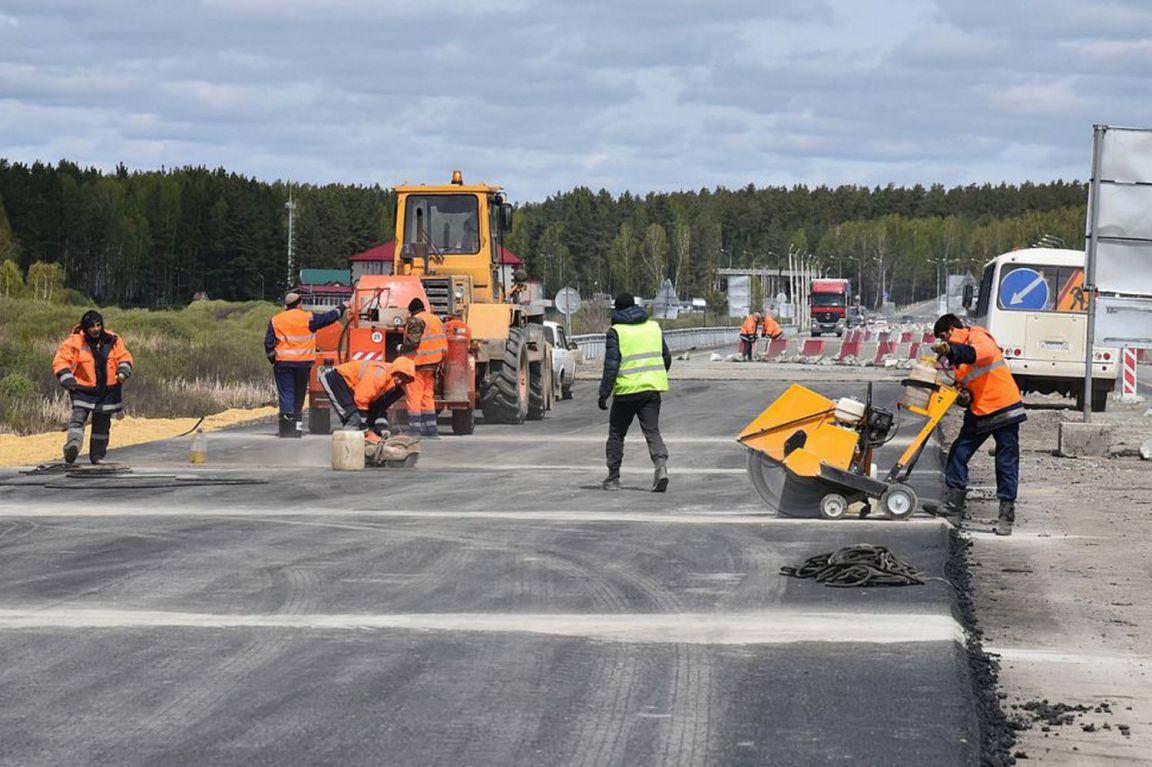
x=996, y=409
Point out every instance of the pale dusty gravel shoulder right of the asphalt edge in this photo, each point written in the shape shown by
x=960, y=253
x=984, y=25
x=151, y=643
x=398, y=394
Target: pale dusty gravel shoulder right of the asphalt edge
x=1064, y=603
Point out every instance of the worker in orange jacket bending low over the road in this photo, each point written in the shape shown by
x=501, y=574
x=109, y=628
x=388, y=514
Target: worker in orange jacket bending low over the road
x=365, y=390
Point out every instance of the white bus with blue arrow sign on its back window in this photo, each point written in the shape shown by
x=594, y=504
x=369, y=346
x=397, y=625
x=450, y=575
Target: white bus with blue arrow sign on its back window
x=1034, y=305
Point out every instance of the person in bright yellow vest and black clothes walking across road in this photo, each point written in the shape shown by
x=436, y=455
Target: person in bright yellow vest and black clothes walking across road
x=636, y=362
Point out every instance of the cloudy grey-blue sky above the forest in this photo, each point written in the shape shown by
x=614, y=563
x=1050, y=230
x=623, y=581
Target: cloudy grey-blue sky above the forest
x=542, y=96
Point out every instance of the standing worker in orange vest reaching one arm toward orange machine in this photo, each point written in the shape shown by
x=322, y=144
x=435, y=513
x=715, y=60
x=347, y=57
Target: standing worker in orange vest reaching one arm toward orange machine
x=290, y=345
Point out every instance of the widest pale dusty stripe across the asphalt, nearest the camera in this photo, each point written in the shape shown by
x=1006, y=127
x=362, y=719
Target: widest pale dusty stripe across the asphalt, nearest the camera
x=752, y=628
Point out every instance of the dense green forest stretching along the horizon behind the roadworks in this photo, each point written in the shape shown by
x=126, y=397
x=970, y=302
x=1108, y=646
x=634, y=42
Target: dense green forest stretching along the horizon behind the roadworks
x=157, y=238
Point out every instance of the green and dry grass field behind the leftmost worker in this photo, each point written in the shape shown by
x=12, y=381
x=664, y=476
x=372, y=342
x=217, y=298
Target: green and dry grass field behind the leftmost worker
x=193, y=362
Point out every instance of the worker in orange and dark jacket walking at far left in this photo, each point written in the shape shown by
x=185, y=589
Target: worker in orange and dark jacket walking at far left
x=93, y=363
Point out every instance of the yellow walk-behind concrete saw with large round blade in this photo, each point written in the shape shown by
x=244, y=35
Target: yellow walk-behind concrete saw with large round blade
x=810, y=457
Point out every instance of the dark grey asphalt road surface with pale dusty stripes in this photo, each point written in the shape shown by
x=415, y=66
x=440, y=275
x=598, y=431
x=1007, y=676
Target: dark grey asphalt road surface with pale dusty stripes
x=491, y=606
